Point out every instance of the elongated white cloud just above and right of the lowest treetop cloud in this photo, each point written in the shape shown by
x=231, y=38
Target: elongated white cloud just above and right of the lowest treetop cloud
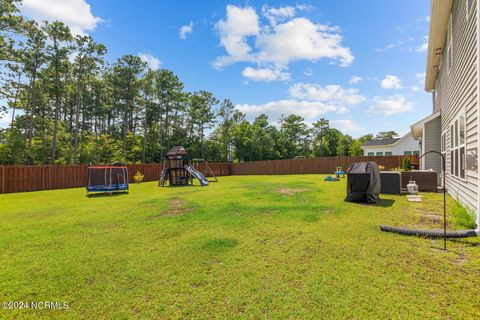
x=332, y=94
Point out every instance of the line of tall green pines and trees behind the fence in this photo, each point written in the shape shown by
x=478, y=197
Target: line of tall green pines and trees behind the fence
x=68, y=105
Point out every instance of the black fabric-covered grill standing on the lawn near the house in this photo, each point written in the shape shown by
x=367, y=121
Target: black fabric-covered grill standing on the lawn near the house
x=363, y=183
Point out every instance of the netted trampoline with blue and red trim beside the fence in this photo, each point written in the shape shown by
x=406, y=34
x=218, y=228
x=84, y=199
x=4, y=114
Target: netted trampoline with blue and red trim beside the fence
x=107, y=179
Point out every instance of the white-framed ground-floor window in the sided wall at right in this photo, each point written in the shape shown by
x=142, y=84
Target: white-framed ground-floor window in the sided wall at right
x=457, y=153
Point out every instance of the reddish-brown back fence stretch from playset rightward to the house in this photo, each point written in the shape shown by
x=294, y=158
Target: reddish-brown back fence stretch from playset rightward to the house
x=326, y=165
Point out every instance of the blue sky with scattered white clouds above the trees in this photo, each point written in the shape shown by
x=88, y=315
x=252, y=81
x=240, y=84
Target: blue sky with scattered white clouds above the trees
x=359, y=64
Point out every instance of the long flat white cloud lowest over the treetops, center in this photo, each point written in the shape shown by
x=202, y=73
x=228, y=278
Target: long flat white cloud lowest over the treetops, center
x=309, y=110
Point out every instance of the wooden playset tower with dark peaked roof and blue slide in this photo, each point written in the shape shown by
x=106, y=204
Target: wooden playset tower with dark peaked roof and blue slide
x=178, y=170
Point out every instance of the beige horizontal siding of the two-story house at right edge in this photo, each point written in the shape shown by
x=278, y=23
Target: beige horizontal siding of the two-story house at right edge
x=457, y=93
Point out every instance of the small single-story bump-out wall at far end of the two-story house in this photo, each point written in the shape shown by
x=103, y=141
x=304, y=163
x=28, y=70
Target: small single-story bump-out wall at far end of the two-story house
x=431, y=142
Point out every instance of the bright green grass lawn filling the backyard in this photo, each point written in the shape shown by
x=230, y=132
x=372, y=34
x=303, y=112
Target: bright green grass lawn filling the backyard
x=247, y=247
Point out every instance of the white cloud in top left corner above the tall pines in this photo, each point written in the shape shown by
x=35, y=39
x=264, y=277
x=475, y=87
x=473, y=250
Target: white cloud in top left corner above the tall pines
x=77, y=14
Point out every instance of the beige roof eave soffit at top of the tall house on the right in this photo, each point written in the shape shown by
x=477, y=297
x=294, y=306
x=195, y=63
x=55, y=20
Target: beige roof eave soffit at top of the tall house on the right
x=439, y=16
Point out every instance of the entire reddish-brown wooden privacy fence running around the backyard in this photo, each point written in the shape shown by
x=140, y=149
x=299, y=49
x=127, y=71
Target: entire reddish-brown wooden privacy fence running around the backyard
x=33, y=178
